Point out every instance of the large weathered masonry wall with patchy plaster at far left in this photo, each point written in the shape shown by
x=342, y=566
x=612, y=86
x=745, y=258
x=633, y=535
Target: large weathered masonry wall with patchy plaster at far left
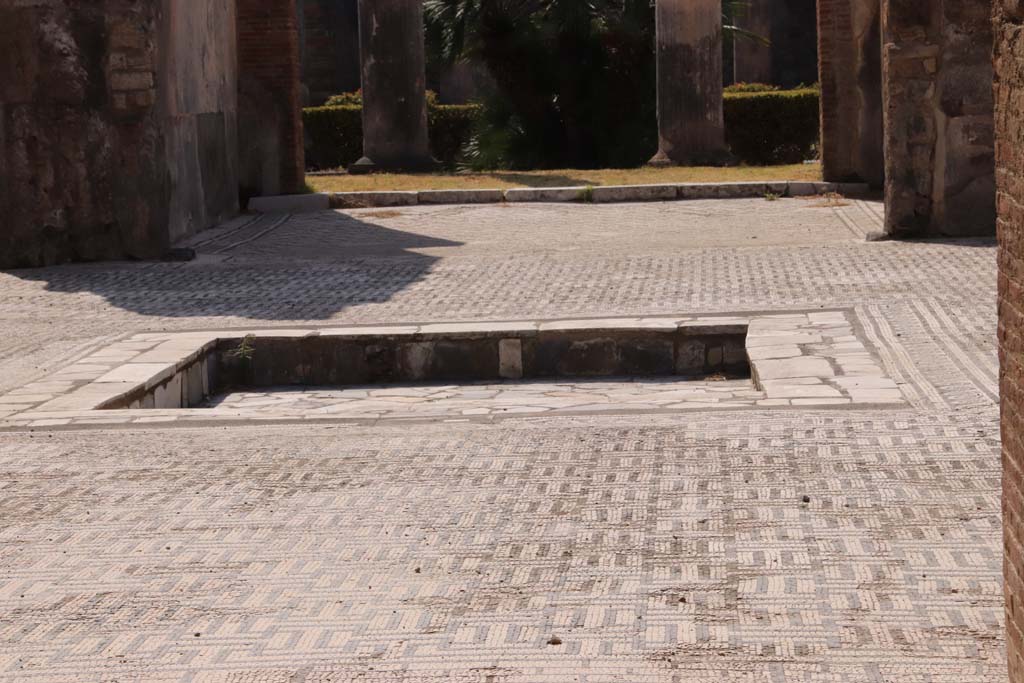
x=98, y=159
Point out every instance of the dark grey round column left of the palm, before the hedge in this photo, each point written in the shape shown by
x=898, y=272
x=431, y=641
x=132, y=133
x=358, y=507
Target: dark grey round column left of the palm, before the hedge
x=395, y=82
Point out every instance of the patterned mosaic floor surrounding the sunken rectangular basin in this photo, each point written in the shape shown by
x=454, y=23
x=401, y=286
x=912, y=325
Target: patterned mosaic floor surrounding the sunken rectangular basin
x=796, y=545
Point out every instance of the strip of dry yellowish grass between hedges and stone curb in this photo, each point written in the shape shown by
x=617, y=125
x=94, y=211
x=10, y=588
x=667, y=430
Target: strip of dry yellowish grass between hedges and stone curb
x=561, y=179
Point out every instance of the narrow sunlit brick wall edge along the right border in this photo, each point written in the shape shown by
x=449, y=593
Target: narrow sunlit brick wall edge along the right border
x=1010, y=182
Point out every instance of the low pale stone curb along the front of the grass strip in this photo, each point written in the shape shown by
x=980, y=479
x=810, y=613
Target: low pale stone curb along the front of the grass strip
x=598, y=195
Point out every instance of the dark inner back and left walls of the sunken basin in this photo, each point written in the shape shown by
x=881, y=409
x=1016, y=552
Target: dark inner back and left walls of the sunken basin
x=459, y=353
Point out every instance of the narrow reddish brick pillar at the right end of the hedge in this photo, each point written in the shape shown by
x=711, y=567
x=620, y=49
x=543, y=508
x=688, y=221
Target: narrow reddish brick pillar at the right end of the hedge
x=850, y=73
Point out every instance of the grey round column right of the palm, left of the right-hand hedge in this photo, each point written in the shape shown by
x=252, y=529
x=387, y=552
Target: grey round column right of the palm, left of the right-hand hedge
x=692, y=130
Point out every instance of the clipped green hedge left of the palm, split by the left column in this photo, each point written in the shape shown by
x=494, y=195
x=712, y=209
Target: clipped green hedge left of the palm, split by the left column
x=335, y=134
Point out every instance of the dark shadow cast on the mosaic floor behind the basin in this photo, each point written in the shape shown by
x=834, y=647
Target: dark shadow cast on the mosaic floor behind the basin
x=305, y=269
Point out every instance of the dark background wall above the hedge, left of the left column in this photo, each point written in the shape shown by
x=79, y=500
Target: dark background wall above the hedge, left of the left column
x=329, y=34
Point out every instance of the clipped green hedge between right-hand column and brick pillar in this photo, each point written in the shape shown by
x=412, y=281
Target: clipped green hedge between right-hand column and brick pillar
x=773, y=127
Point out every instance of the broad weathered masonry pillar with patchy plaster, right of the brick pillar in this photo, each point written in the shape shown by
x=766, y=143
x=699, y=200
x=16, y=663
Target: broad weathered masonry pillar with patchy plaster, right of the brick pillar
x=937, y=98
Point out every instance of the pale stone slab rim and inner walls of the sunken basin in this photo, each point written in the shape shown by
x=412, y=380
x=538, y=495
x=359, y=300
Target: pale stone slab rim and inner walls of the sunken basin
x=796, y=360
